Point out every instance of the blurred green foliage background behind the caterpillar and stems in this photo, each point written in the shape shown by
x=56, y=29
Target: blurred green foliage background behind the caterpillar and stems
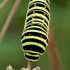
x=10, y=48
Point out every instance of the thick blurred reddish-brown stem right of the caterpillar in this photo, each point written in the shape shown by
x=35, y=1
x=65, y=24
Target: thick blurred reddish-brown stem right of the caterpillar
x=54, y=56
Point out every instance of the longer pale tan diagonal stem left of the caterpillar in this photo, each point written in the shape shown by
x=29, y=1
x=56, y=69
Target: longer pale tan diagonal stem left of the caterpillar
x=8, y=21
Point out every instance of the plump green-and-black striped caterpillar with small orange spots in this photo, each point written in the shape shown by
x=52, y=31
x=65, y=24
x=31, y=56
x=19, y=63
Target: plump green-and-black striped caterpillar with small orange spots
x=35, y=34
